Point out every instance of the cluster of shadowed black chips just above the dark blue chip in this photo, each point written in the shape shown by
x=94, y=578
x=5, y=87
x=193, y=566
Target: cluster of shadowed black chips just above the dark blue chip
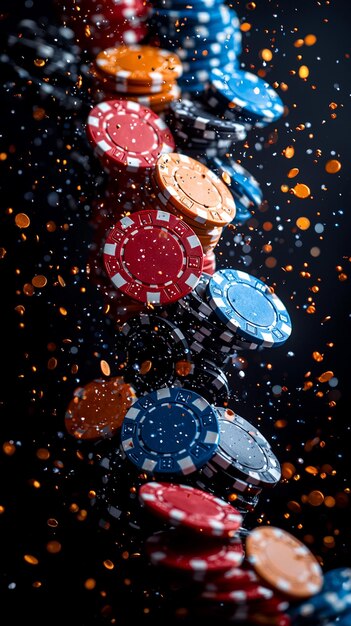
x=157, y=355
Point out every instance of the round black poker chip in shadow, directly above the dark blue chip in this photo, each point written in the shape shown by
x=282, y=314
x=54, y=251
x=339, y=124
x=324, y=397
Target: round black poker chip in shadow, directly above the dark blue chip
x=154, y=346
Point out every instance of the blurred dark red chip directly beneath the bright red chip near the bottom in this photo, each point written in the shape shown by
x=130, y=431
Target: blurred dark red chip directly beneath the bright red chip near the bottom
x=174, y=550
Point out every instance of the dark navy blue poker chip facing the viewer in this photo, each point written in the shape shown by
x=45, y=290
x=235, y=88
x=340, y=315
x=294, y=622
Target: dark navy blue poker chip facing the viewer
x=171, y=431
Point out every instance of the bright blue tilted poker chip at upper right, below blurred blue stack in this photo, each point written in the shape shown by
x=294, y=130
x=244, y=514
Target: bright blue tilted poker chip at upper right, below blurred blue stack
x=249, y=94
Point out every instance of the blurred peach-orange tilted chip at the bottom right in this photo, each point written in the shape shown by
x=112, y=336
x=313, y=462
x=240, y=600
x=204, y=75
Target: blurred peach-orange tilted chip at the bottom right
x=284, y=562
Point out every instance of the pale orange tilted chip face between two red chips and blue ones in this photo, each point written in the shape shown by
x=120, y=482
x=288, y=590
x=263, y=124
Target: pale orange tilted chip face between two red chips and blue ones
x=194, y=190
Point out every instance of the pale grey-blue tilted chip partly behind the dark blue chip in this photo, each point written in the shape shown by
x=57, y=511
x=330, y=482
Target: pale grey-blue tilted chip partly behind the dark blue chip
x=243, y=448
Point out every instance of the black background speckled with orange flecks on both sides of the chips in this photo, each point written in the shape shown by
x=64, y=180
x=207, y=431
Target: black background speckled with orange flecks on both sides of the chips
x=47, y=499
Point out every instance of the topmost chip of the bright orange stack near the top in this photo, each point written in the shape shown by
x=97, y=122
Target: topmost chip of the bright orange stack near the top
x=139, y=64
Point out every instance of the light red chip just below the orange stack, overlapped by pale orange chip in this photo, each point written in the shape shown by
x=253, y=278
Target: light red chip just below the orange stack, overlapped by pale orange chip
x=125, y=133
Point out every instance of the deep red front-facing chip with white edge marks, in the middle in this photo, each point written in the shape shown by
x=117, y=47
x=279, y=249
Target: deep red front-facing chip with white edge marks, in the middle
x=153, y=257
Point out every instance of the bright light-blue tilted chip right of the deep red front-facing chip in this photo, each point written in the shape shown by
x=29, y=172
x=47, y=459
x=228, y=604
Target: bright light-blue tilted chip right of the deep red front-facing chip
x=248, y=308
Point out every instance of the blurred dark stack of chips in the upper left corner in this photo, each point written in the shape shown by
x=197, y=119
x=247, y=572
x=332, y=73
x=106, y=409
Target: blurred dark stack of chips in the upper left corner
x=43, y=58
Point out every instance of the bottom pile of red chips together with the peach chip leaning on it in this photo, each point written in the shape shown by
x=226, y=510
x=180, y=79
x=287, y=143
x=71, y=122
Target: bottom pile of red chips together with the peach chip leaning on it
x=227, y=575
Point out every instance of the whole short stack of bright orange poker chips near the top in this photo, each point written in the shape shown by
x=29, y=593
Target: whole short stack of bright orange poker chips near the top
x=139, y=73
